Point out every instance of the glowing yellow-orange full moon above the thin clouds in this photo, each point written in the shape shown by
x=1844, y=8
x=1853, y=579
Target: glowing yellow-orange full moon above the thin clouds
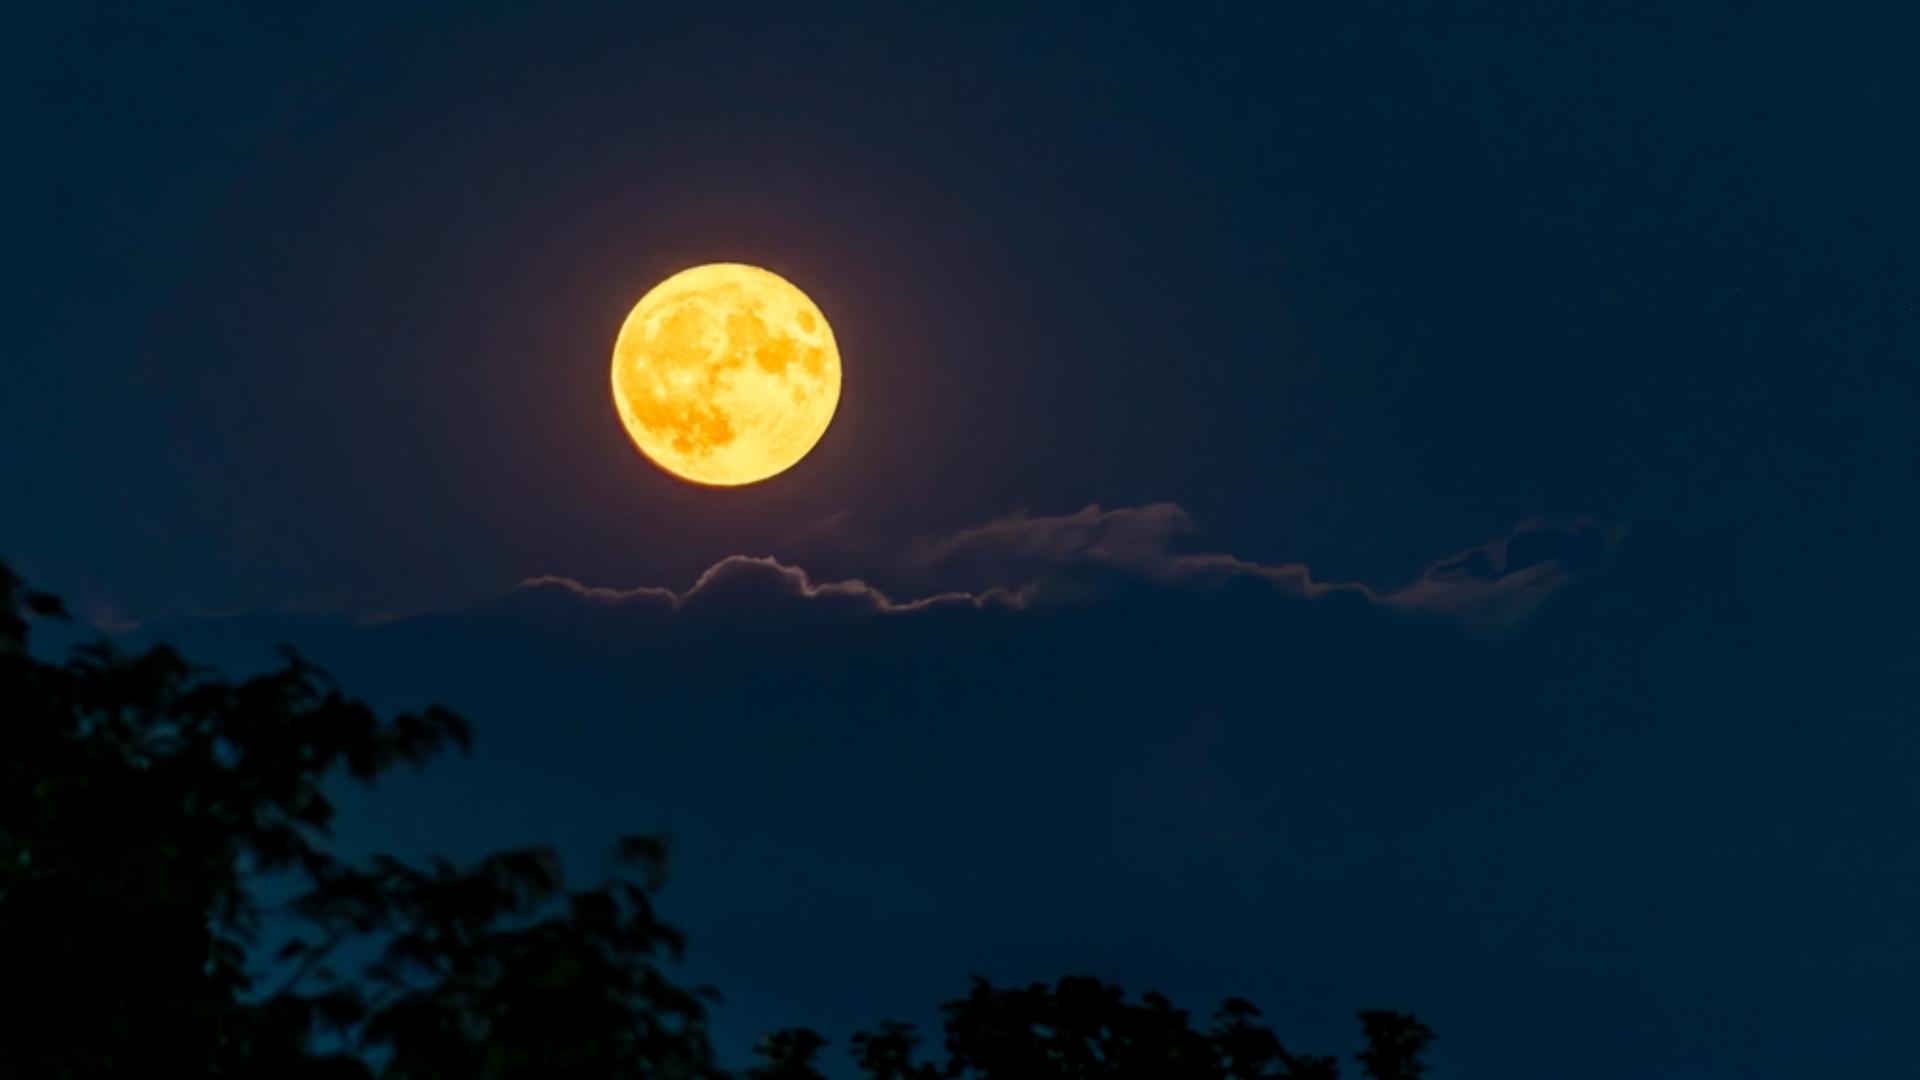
x=725, y=376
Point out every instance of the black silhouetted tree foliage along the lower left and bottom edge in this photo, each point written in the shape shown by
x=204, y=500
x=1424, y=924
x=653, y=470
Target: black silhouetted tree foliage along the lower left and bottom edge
x=147, y=804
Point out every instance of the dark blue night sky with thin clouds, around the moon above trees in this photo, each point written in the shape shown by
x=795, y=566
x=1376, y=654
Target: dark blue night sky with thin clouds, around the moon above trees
x=1353, y=506
